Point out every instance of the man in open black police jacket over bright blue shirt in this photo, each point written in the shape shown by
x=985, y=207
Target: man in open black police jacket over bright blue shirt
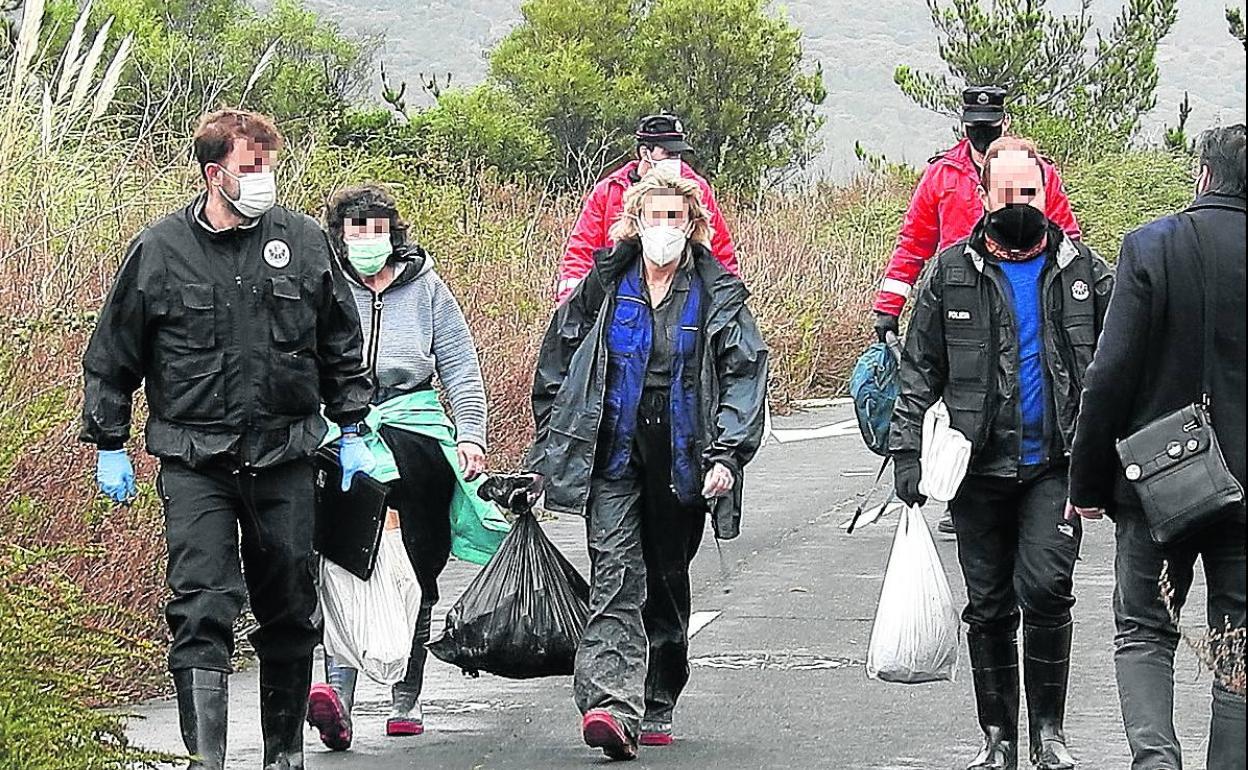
x=1004, y=330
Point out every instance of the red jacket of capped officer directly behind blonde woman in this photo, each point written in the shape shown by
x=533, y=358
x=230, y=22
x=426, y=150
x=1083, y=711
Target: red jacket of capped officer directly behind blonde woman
x=605, y=207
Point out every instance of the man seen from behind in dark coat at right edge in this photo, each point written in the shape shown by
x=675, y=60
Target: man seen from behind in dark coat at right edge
x=1150, y=363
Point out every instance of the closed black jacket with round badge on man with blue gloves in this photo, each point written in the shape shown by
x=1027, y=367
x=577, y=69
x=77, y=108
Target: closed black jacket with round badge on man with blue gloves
x=239, y=338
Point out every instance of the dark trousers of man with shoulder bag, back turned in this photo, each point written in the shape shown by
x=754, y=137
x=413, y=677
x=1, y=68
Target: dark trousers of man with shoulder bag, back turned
x=1148, y=638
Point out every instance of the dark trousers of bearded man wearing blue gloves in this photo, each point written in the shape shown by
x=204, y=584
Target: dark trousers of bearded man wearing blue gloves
x=214, y=515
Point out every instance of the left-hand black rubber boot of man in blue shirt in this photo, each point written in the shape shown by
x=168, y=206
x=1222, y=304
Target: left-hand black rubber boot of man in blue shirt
x=995, y=670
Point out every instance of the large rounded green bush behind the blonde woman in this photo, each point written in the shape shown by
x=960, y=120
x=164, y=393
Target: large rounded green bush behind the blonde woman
x=588, y=69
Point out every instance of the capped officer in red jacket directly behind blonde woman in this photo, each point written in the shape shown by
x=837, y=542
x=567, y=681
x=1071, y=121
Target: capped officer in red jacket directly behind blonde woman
x=661, y=142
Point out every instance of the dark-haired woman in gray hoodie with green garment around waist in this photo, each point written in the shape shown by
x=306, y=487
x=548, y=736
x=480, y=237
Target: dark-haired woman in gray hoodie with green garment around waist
x=414, y=331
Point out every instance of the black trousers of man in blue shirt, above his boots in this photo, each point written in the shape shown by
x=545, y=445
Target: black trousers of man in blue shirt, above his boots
x=1016, y=551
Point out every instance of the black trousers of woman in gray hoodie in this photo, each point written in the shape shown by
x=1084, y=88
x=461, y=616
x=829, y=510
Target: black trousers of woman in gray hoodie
x=422, y=497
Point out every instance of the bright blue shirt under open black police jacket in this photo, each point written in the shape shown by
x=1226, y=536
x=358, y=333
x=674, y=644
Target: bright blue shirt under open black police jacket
x=1033, y=376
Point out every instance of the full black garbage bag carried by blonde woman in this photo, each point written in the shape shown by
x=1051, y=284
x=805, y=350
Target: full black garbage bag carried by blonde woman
x=524, y=616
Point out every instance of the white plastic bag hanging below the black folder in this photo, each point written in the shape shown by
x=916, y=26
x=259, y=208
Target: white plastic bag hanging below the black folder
x=369, y=626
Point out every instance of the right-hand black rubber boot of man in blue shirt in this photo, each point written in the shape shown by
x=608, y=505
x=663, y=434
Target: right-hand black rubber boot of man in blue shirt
x=1046, y=670
